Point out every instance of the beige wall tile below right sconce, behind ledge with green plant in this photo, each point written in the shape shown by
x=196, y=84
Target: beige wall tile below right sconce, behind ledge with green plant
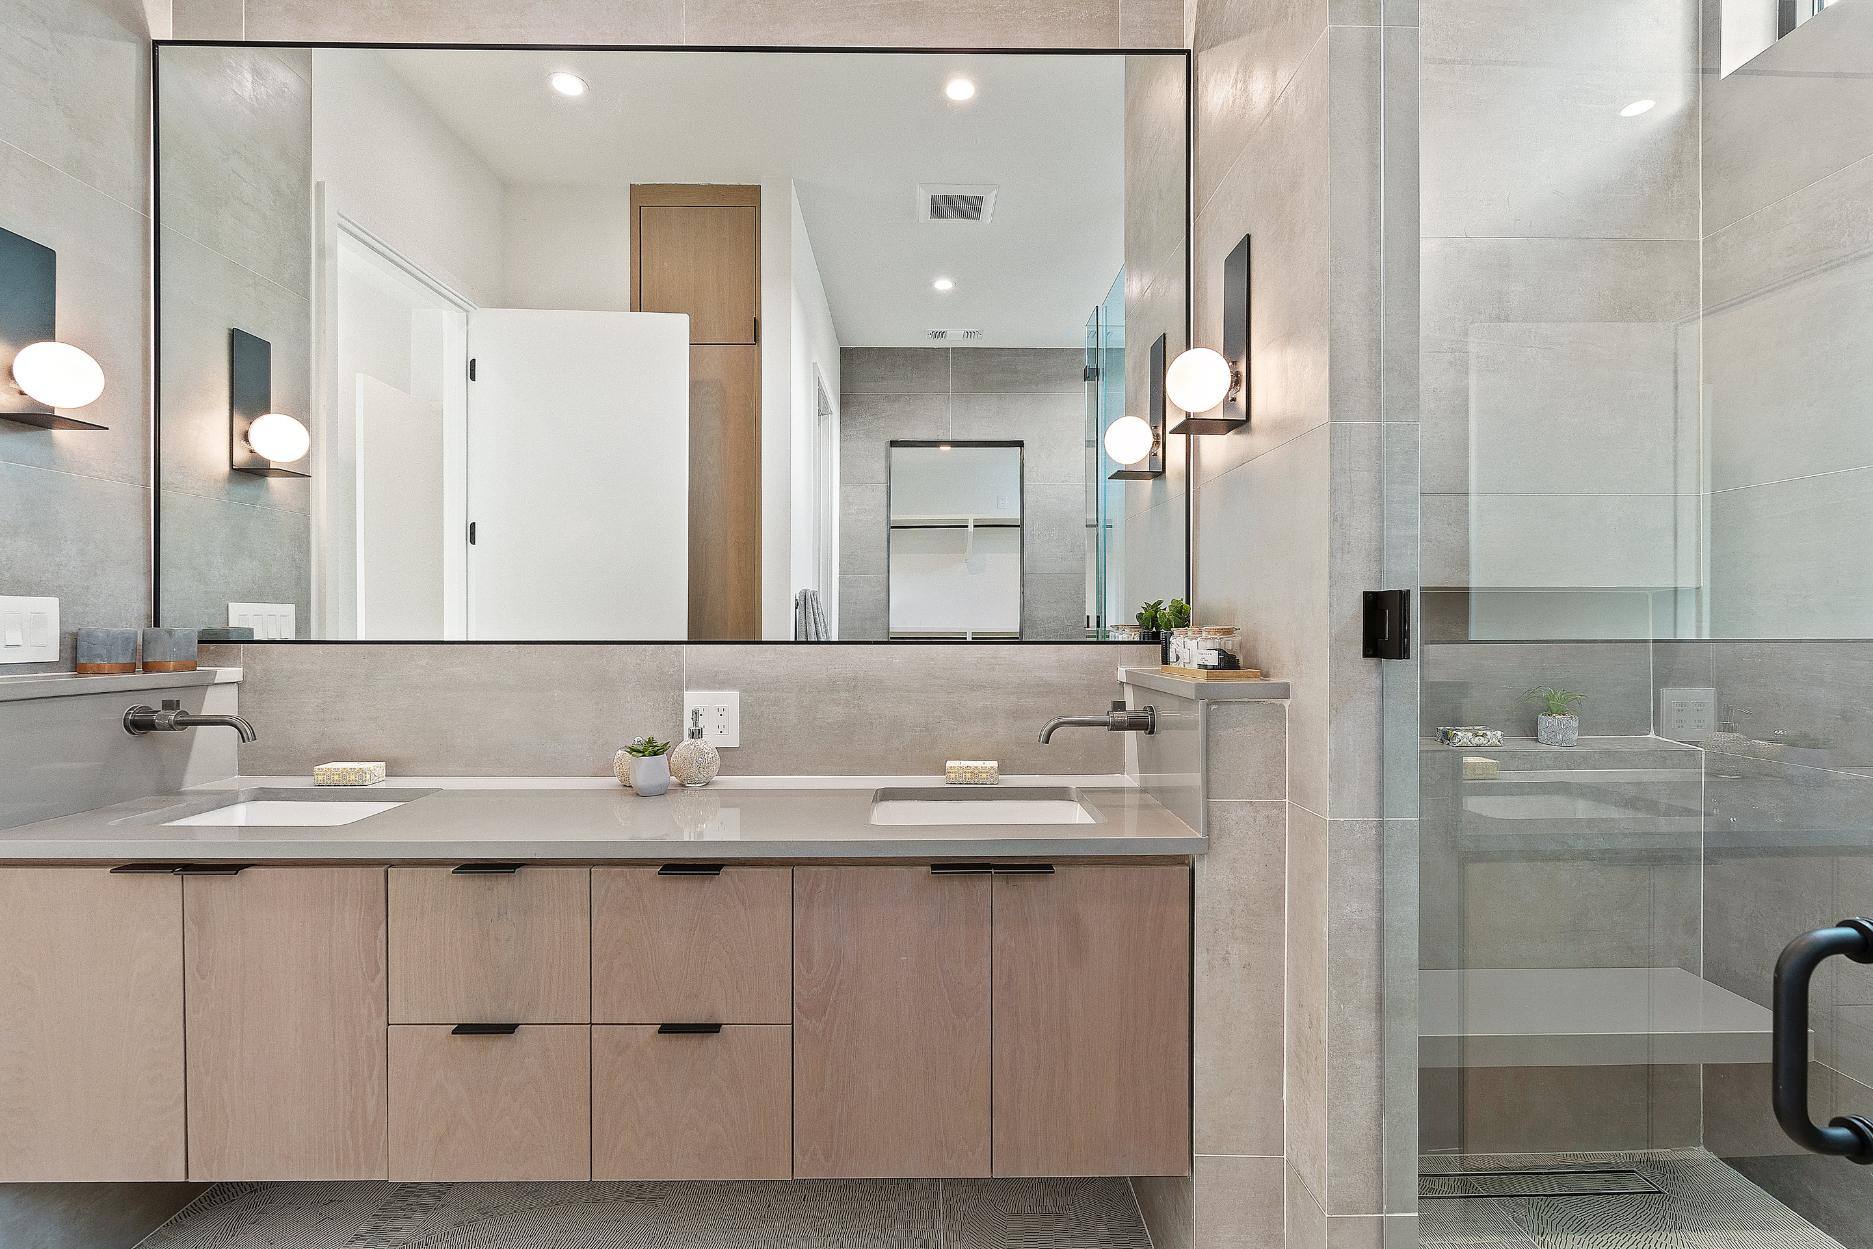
x=1275, y=522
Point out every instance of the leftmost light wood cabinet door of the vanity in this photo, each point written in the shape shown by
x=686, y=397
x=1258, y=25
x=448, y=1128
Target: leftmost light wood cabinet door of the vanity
x=91, y=1025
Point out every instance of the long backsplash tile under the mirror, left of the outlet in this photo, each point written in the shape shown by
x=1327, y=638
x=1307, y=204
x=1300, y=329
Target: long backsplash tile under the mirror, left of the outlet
x=422, y=709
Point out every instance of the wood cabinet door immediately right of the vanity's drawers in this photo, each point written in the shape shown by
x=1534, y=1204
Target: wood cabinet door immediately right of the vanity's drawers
x=891, y=1023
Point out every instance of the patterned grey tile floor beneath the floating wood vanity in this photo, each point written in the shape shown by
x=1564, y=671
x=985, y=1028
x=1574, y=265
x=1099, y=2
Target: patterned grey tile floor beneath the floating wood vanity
x=801, y=1214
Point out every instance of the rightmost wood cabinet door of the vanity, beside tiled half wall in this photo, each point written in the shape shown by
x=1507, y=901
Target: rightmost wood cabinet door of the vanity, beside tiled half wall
x=1093, y=1021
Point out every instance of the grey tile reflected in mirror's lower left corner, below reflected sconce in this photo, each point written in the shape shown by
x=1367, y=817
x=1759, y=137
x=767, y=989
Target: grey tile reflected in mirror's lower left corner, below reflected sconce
x=216, y=553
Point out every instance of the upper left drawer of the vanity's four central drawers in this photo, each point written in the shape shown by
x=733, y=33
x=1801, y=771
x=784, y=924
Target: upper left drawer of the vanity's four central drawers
x=475, y=945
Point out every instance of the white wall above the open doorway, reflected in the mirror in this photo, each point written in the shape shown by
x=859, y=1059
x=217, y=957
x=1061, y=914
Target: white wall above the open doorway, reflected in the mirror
x=396, y=169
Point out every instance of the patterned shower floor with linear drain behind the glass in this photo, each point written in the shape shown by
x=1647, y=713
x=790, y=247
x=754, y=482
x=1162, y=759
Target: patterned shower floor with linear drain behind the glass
x=1700, y=1205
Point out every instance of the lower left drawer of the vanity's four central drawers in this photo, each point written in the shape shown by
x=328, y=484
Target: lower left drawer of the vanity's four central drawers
x=512, y=1106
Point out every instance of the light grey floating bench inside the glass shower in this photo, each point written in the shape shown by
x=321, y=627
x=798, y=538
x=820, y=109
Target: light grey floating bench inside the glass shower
x=1584, y=1018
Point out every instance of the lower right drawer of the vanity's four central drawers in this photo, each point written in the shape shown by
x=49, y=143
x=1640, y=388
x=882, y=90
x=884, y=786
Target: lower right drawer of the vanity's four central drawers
x=692, y=1106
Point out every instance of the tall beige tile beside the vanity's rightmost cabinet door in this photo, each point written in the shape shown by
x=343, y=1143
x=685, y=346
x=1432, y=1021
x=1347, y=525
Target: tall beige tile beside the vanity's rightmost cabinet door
x=1241, y=977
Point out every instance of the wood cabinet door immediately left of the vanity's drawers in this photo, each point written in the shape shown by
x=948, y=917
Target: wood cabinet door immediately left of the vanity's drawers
x=286, y=1021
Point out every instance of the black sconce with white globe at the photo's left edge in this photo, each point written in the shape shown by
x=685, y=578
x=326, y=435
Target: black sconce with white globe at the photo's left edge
x=42, y=374
